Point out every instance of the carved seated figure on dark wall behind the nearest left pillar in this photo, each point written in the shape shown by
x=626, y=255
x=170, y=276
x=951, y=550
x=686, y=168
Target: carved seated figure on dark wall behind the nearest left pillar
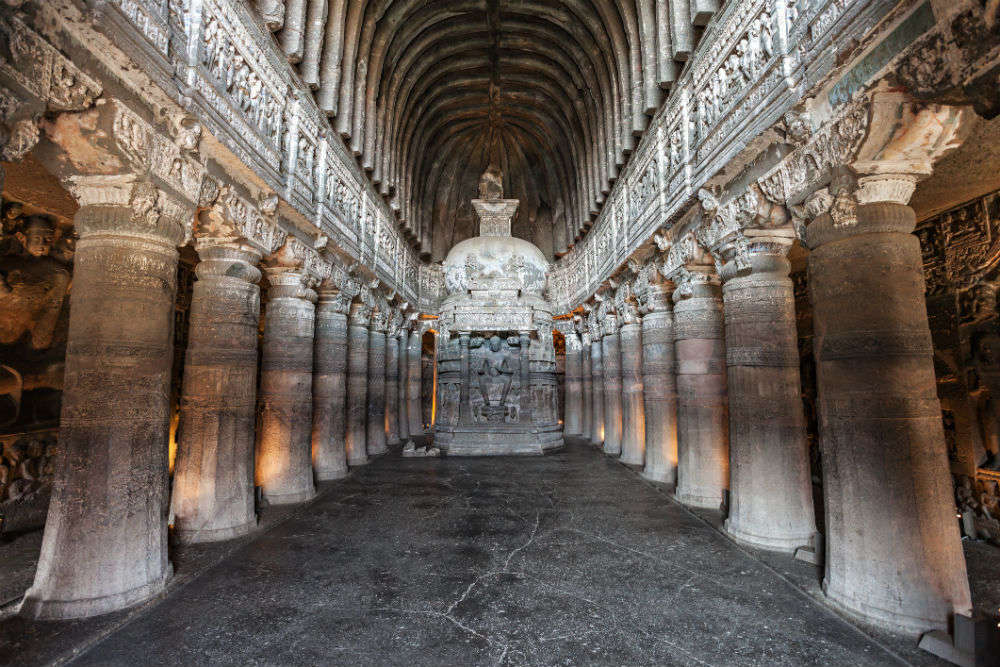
x=32, y=286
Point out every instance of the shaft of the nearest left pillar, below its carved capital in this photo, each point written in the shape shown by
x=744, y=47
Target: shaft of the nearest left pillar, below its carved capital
x=105, y=542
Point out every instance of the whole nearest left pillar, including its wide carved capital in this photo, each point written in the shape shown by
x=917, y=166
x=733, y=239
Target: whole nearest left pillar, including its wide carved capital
x=105, y=541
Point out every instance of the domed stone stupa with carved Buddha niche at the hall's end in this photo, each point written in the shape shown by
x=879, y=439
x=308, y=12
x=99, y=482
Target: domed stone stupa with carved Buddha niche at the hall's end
x=497, y=388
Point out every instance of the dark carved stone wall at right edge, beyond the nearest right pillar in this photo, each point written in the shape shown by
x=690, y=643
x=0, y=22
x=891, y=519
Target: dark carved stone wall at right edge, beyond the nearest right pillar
x=961, y=255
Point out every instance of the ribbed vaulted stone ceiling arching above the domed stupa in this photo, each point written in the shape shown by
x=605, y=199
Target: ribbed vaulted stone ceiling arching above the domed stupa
x=428, y=93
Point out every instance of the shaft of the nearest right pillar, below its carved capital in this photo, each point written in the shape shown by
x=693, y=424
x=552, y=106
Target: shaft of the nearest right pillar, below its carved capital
x=894, y=555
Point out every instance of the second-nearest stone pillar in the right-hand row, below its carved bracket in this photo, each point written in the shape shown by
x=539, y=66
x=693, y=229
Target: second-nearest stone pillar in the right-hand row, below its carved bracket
x=770, y=489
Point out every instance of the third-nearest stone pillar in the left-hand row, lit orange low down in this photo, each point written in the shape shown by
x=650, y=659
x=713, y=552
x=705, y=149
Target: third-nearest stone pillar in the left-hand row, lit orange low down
x=284, y=439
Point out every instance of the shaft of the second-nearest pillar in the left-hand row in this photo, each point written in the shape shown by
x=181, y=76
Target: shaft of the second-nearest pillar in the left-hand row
x=213, y=496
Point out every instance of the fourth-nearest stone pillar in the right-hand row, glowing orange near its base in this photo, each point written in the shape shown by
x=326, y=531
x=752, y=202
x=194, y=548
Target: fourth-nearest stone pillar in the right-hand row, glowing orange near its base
x=659, y=385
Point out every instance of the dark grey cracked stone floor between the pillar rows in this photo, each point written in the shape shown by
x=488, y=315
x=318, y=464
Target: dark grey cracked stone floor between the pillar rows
x=568, y=559
